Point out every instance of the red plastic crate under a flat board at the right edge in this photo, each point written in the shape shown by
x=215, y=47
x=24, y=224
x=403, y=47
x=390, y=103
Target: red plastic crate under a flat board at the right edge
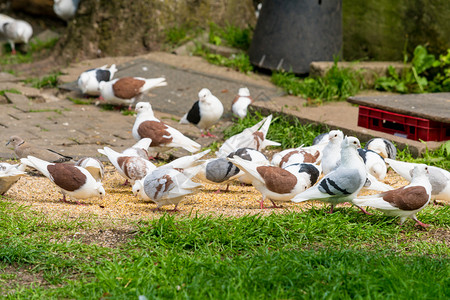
x=402, y=125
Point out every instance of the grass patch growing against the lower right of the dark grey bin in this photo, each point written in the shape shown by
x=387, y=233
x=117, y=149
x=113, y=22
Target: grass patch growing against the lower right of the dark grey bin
x=337, y=85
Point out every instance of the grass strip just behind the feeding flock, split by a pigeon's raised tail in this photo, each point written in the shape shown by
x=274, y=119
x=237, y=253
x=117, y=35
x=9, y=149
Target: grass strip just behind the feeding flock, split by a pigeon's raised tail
x=289, y=132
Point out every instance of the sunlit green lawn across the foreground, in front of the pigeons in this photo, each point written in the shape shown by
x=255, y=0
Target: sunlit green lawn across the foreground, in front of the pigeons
x=285, y=256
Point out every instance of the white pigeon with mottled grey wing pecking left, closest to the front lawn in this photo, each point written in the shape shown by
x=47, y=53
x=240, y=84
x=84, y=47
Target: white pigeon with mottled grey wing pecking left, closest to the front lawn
x=166, y=186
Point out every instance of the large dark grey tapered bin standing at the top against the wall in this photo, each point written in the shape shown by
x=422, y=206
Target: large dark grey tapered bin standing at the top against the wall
x=290, y=34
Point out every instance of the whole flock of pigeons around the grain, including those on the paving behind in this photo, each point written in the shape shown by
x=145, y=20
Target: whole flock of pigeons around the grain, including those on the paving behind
x=290, y=175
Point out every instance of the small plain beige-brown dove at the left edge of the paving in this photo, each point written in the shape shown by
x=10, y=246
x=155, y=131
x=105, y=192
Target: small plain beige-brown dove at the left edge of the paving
x=23, y=149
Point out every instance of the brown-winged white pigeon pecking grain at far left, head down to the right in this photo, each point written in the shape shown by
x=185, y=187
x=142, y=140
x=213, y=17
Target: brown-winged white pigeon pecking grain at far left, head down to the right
x=74, y=181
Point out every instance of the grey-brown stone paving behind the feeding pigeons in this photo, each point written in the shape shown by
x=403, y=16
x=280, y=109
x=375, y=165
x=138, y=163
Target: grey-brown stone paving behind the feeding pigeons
x=48, y=119
